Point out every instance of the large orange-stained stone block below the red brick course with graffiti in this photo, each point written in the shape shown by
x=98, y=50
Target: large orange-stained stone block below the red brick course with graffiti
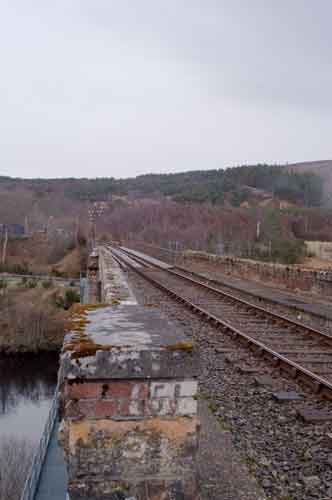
x=132, y=448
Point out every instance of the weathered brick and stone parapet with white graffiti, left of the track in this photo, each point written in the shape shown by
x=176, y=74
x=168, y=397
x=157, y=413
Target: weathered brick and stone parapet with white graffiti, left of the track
x=128, y=401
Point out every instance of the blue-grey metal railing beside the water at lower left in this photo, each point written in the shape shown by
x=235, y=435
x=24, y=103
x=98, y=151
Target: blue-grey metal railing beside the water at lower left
x=32, y=480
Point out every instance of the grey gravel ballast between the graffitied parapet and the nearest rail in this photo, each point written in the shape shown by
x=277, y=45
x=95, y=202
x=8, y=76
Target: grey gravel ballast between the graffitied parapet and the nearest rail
x=251, y=446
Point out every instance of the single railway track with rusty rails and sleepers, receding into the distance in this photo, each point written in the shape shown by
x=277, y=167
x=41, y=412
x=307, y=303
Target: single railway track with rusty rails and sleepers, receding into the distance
x=302, y=351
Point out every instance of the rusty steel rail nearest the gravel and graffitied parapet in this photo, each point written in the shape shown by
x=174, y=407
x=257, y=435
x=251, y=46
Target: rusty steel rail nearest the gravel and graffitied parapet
x=317, y=384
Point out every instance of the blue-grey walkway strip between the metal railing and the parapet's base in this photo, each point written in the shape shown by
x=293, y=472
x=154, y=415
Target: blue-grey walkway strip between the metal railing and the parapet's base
x=53, y=480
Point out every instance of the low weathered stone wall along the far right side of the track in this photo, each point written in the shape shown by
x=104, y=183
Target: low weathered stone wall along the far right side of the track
x=290, y=277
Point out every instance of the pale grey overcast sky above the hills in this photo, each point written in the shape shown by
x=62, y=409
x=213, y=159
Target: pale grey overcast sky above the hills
x=123, y=87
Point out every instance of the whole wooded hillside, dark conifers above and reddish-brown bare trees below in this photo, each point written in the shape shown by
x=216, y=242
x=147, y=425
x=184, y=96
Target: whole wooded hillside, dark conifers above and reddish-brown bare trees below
x=216, y=210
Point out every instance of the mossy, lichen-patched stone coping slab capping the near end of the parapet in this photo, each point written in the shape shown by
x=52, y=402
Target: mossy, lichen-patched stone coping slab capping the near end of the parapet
x=124, y=341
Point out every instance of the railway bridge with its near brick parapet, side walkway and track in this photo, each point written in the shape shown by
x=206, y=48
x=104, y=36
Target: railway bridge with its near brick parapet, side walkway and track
x=125, y=409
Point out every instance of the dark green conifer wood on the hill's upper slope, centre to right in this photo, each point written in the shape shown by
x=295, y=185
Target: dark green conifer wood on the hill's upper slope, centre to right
x=233, y=183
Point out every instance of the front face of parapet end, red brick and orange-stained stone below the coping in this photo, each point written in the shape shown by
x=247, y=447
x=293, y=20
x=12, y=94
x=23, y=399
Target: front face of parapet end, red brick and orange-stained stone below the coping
x=133, y=437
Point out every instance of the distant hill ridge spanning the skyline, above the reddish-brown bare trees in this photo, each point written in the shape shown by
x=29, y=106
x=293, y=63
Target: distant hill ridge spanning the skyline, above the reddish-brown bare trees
x=45, y=200
